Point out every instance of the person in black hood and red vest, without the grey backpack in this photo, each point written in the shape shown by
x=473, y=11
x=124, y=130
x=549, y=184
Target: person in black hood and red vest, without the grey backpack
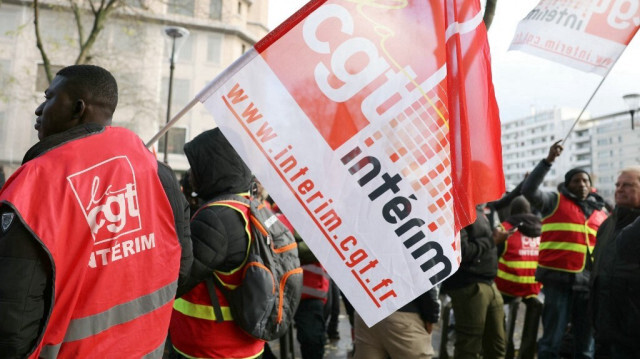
x=220, y=244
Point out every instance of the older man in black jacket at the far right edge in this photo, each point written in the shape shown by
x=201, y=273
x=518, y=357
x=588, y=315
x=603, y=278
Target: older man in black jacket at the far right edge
x=615, y=279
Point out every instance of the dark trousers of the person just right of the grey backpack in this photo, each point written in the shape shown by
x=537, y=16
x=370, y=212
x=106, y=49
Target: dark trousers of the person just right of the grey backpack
x=310, y=328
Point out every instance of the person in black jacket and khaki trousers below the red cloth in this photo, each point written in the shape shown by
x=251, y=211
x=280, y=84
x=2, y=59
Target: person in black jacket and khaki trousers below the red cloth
x=477, y=303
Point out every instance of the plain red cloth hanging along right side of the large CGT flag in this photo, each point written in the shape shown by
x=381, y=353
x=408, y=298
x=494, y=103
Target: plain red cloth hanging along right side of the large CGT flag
x=476, y=149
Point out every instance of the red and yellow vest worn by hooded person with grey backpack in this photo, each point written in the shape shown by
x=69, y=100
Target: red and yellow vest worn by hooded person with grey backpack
x=195, y=331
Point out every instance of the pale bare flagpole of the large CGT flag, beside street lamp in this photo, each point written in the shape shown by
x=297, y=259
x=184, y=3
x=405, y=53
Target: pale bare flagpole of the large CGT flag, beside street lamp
x=206, y=92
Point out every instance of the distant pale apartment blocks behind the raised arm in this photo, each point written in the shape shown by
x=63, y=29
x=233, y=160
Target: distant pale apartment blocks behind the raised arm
x=602, y=146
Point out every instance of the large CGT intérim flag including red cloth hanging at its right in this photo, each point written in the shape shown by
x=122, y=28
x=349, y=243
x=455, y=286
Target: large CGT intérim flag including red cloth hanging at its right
x=373, y=125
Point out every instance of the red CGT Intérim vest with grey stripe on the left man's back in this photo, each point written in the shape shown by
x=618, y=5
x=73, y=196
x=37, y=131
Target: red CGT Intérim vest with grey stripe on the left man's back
x=99, y=209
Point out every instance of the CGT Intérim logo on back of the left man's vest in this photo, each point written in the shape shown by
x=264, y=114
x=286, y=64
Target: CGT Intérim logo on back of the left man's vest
x=107, y=195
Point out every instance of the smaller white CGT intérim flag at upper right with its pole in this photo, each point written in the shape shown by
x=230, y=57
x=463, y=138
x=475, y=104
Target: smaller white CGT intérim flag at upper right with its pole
x=589, y=36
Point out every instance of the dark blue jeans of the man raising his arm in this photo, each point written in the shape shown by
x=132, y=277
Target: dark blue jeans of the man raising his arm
x=561, y=306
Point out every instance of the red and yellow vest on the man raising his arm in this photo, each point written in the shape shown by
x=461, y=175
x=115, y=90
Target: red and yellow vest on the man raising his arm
x=567, y=237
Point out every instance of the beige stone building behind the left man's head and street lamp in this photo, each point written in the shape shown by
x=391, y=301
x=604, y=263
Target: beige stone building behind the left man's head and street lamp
x=134, y=47
